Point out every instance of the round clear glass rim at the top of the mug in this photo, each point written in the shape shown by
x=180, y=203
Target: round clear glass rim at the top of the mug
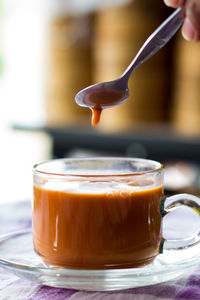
x=156, y=167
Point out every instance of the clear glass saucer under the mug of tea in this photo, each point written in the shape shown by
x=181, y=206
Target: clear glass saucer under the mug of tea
x=17, y=256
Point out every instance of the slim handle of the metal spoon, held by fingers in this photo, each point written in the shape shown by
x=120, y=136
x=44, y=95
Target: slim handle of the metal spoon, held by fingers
x=156, y=40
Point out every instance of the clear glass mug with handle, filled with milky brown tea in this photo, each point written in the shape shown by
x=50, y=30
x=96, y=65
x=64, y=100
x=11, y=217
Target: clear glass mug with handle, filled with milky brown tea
x=103, y=213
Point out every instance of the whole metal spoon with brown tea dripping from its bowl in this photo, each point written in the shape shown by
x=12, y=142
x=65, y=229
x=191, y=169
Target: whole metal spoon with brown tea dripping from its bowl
x=108, y=94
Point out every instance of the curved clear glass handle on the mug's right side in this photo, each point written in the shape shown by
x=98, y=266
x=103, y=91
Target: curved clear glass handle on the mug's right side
x=170, y=205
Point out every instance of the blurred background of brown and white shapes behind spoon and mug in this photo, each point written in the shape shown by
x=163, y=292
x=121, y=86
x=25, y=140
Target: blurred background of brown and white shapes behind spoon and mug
x=50, y=49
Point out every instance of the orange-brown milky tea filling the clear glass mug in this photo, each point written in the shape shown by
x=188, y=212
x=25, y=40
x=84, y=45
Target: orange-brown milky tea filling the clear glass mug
x=97, y=231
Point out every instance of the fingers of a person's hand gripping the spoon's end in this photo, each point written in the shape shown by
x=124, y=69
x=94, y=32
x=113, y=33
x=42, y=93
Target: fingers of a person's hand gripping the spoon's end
x=191, y=26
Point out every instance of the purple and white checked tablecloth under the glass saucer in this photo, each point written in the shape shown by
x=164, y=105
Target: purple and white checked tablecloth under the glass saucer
x=17, y=216
